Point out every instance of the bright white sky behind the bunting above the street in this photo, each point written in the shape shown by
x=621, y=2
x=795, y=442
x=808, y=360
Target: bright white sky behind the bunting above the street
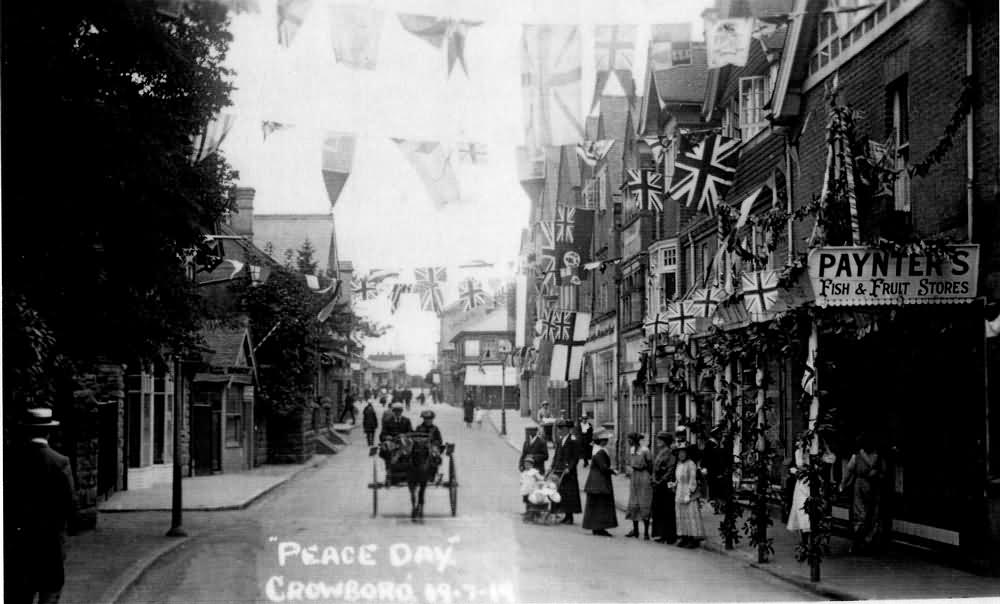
x=384, y=217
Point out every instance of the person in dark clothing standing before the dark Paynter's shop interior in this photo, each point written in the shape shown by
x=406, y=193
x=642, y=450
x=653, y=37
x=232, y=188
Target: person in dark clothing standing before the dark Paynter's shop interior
x=864, y=475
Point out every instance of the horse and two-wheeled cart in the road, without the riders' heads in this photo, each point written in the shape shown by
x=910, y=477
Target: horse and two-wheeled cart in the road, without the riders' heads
x=410, y=461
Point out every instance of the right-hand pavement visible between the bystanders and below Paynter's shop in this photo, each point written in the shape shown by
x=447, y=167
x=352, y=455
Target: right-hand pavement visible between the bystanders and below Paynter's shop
x=898, y=574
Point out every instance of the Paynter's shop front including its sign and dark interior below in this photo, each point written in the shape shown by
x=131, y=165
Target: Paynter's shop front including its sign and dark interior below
x=901, y=360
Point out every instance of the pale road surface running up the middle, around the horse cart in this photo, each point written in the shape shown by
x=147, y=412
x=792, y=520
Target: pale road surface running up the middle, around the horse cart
x=486, y=554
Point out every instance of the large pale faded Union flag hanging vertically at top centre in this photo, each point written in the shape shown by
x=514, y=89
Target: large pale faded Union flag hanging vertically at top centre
x=551, y=71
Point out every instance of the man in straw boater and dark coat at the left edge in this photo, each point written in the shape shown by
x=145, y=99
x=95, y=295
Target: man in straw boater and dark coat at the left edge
x=39, y=513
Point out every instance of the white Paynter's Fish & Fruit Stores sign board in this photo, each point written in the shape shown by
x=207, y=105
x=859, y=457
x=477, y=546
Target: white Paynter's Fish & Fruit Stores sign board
x=862, y=276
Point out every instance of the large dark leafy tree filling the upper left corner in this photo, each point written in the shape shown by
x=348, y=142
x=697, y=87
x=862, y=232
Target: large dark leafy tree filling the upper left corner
x=102, y=197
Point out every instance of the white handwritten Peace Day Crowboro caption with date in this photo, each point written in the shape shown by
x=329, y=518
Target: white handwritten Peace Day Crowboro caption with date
x=401, y=557
